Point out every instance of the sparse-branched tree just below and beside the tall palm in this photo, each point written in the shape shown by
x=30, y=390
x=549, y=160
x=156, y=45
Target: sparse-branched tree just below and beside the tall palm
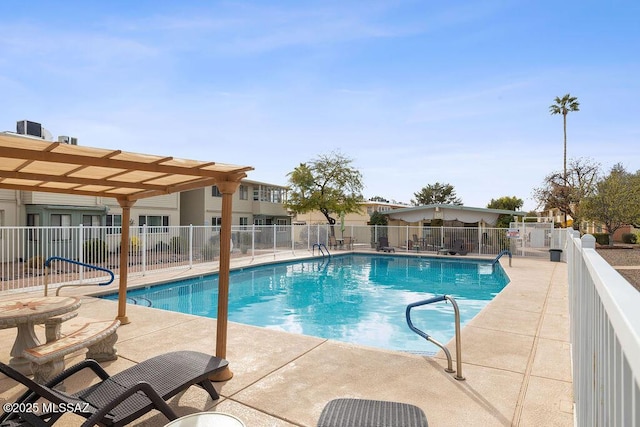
x=566, y=194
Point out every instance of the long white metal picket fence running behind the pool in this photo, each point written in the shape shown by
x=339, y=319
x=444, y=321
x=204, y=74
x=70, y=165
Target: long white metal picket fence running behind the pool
x=24, y=250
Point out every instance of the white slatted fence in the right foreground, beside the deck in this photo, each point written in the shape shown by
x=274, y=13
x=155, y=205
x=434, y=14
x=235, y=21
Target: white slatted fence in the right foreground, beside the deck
x=605, y=337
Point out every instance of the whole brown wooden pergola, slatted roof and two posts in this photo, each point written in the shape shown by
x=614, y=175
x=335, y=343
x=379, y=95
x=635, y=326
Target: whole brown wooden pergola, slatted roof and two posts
x=31, y=164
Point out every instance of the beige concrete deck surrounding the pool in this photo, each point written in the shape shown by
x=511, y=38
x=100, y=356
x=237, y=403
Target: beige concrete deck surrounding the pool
x=516, y=361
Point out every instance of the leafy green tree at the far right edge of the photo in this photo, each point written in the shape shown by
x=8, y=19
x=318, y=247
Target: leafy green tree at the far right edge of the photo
x=616, y=201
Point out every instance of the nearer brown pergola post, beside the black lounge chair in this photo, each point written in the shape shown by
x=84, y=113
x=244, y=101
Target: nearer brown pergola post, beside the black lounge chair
x=227, y=188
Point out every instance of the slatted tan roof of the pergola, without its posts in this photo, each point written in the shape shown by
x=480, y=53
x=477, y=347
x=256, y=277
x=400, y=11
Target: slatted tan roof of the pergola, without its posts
x=37, y=165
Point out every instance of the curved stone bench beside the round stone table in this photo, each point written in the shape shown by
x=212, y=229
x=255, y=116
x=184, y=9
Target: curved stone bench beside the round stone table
x=98, y=336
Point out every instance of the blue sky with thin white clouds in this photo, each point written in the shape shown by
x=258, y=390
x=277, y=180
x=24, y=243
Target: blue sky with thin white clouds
x=416, y=92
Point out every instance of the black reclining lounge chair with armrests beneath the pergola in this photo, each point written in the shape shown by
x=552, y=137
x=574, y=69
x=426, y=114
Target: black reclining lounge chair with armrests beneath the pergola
x=118, y=399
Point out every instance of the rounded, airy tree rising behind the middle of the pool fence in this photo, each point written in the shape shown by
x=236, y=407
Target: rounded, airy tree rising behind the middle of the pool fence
x=329, y=184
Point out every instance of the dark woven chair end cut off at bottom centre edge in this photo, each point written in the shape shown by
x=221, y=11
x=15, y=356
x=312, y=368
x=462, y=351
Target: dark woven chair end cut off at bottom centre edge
x=371, y=413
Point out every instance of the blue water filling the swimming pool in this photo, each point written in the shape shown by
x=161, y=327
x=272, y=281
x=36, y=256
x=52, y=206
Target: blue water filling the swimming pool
x=354, y=298
